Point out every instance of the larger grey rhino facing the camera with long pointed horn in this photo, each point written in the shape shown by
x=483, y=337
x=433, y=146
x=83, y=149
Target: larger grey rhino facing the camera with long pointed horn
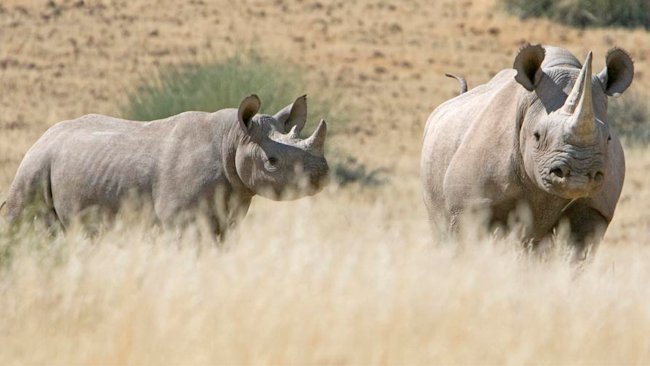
x=535, y=136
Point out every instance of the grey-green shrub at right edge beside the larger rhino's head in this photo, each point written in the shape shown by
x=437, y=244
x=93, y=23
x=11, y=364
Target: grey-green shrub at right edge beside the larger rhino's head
x=629, y=115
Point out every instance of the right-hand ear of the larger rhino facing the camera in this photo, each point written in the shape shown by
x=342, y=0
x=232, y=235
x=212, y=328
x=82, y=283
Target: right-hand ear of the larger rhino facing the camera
x=618, y=72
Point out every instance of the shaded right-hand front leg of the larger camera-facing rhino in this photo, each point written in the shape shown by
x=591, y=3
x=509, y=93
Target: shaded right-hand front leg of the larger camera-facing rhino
x=587, y=227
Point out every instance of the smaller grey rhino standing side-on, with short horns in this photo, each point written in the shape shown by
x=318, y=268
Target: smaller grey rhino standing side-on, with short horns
x=191, y=164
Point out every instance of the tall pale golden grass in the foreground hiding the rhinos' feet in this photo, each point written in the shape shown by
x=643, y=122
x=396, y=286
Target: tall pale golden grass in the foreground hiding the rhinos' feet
x=341, y=278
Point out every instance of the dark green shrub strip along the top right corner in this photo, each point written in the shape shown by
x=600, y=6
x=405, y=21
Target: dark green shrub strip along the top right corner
x=585, y=13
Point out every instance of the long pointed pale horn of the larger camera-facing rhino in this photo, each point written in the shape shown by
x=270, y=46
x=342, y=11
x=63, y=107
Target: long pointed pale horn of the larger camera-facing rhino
x=580, y=105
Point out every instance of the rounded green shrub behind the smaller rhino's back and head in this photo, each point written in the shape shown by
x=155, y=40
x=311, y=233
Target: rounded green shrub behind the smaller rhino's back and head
x=223, y=84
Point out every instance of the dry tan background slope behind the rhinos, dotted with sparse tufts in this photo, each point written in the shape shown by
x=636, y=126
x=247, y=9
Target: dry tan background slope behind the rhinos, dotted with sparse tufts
x=61, y=59
